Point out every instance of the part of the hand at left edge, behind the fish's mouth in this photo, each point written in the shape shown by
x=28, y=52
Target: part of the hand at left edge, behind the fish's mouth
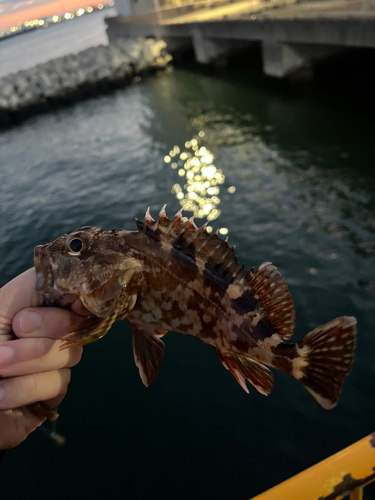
x=17, y=295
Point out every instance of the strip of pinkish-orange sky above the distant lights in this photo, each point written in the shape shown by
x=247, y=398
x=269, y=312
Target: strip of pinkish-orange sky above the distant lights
x=57, y=7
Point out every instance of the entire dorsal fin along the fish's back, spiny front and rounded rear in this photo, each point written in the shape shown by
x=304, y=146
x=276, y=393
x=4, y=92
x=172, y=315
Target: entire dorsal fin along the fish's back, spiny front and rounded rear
x=265, y=284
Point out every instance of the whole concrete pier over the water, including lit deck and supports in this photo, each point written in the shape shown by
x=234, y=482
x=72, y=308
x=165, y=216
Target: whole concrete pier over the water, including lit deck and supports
x=292, y=38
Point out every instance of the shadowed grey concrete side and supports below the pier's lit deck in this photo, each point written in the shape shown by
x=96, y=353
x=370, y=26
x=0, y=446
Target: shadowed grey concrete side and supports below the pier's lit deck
x=288, y=45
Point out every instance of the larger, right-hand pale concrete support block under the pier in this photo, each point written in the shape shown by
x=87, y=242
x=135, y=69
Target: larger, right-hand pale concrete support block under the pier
x=283, y=59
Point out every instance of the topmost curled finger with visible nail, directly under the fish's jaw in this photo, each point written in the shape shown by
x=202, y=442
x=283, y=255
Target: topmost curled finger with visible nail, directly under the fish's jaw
x=50, y=322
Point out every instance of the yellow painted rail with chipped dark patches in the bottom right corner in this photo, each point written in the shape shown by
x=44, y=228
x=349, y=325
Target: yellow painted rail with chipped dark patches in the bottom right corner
x=358, y=460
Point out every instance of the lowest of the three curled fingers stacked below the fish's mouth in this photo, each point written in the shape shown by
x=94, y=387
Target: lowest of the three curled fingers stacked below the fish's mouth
x=27, y=389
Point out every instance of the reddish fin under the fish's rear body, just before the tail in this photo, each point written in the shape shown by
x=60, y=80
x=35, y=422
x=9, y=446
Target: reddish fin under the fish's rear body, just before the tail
x=243, y=368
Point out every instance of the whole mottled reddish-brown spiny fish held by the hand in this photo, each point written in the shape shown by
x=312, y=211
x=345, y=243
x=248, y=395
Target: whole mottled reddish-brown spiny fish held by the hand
x=171, y=276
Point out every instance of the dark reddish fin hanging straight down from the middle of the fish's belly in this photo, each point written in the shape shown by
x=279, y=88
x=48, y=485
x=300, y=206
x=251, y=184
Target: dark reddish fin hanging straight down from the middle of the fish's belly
x=148, y=351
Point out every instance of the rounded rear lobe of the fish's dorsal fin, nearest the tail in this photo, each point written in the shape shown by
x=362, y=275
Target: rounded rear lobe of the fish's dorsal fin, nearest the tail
x=271, y=291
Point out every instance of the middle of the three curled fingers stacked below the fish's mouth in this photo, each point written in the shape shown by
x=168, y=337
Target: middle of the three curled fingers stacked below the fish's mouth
x=23, y=356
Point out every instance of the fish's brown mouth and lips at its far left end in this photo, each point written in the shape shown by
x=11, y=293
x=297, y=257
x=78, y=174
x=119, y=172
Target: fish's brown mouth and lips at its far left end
x=46, y=279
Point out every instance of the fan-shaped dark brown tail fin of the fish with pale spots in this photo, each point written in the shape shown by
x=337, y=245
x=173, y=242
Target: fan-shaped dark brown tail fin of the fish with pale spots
x=324, y=358
